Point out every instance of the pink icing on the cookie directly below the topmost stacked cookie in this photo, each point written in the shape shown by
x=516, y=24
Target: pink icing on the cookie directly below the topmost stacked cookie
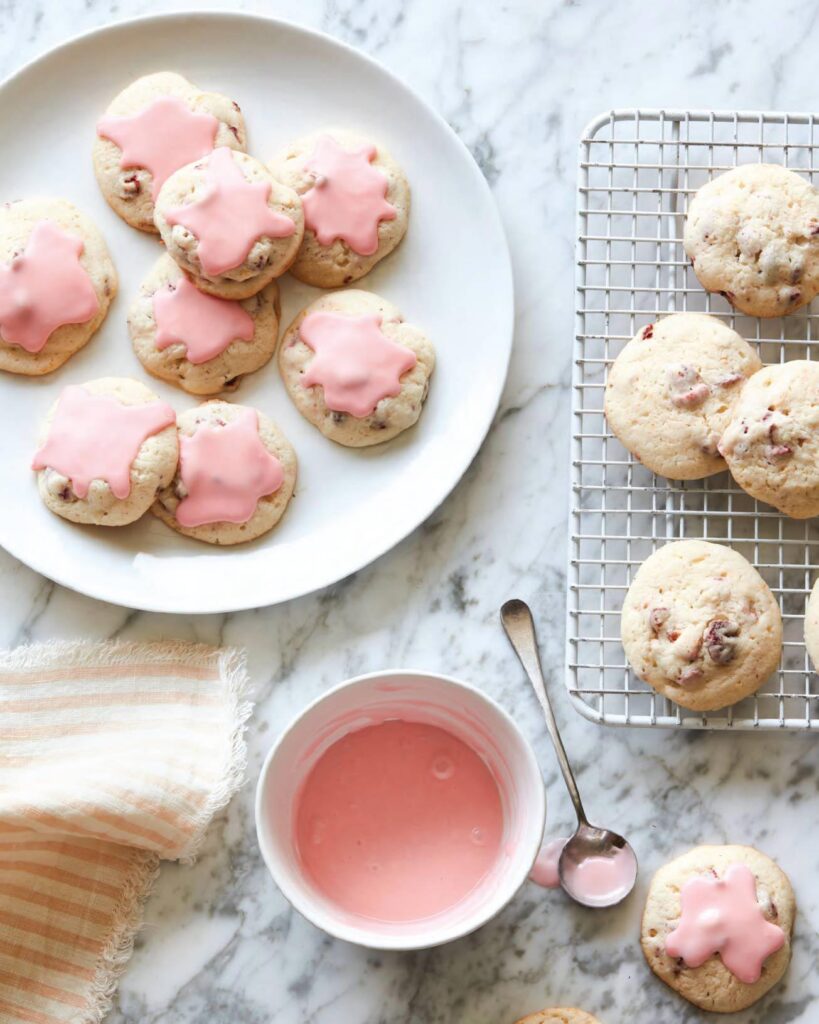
x=205, y=325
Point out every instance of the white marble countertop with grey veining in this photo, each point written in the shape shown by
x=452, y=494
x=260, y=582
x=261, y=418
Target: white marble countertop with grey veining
x=518, y=81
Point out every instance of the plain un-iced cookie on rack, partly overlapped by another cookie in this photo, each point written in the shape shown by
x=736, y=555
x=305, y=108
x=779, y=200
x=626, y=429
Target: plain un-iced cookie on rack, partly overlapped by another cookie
x=671, y=393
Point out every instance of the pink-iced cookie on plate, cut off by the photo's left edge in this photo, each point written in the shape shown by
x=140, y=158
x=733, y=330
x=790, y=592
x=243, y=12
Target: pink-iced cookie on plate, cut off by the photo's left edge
x=57, y=284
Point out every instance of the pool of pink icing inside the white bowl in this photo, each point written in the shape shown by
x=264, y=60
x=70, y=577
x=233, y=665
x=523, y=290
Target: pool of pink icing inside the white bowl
x=399, y=822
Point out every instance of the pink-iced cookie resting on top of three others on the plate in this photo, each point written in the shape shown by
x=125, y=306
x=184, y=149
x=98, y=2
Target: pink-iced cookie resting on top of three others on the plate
x=230, y=225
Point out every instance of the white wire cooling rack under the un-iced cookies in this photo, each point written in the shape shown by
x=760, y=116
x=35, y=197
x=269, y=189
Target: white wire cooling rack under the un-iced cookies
x=637, y=172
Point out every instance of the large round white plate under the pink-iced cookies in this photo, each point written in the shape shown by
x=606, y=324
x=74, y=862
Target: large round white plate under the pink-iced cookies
x=452, y=276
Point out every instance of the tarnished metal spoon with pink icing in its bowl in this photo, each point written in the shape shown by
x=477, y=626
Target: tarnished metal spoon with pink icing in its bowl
x=588, y=842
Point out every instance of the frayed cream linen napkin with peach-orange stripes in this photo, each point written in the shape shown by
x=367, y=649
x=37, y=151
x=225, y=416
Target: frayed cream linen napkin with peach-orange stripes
x=113, y=756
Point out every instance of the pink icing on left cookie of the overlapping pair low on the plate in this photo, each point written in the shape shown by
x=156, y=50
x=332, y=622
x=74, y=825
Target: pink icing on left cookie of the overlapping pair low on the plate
x=97, y=438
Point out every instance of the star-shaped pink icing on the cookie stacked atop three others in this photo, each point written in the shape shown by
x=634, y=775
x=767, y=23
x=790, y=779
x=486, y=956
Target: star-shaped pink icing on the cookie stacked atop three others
x=231, y=217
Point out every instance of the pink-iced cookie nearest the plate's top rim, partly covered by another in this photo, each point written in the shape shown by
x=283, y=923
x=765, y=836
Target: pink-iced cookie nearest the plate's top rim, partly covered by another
x=157, y=125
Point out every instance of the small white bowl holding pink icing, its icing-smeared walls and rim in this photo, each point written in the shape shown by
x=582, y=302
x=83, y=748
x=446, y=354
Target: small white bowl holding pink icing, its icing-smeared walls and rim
x=418, y=697
